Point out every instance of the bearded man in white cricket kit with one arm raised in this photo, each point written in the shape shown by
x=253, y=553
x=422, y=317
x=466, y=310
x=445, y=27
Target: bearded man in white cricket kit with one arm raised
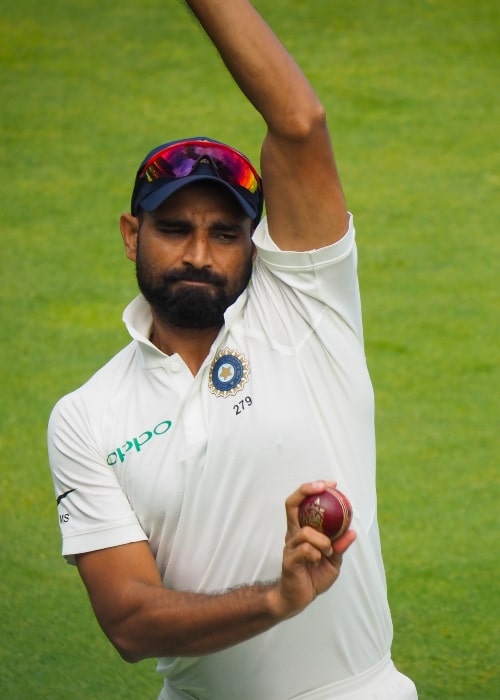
x=245, y=378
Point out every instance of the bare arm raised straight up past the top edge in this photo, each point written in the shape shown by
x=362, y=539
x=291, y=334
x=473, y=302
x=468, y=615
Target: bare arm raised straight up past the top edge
x=304, y=199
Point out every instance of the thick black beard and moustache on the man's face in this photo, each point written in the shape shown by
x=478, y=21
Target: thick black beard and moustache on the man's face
x=184, y=306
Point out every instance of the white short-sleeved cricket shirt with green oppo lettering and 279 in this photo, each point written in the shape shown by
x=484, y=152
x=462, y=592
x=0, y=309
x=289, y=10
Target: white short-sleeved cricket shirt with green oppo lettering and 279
x=202, y=473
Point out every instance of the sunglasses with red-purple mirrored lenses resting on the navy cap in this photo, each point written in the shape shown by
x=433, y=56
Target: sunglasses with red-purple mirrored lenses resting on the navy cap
x=181, y=159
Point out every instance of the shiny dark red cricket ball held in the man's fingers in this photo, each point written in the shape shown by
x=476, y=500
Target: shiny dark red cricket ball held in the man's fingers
x=329, y=512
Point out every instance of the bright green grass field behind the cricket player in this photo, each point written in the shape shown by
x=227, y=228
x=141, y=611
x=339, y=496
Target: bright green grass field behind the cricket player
x=412, y=94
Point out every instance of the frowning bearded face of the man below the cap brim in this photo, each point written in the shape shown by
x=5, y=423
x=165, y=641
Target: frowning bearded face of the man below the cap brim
x=194, y=256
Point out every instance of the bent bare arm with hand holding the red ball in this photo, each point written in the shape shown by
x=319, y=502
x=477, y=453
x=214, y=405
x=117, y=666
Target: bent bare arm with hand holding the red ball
x=145, y=620
